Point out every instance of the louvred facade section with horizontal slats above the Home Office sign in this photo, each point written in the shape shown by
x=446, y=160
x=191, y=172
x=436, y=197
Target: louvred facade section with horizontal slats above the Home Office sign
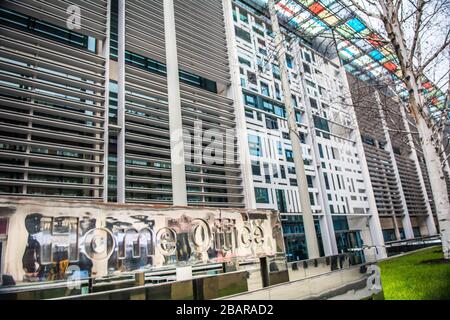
x=80, y=120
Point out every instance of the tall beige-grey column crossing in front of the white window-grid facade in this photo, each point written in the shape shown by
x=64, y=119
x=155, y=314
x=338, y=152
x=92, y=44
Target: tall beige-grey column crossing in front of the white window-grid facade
x=308, y=219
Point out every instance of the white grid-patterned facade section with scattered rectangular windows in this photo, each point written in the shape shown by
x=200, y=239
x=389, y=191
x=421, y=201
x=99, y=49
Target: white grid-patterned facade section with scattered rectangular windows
x=338, y=189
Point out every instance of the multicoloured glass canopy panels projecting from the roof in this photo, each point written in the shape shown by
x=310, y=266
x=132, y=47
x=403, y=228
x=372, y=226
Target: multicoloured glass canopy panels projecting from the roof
x=363, y=52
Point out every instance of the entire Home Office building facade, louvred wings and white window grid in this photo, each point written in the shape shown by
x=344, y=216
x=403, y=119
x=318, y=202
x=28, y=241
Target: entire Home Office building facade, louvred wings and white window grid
x=129, y=101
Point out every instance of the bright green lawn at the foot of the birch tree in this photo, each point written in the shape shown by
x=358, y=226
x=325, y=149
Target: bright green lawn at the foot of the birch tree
x=406, y=278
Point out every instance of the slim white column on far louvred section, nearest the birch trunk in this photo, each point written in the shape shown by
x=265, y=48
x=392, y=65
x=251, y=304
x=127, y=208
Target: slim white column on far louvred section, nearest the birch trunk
x=430, y=220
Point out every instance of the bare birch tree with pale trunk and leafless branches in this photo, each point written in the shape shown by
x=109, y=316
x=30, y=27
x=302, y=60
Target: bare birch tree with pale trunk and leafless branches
x=411, y=26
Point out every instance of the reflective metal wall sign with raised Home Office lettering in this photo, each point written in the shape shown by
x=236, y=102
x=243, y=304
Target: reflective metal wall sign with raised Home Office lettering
x=107, y=240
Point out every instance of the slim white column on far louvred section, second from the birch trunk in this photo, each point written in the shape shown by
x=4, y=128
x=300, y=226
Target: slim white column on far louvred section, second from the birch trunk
x=407, y=227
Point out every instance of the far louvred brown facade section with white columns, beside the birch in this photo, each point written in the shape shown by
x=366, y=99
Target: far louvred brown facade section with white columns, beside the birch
x=397, y=169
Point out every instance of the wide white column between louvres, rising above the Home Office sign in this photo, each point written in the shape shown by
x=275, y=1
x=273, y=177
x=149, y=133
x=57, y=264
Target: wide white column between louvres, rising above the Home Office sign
x=175, y=116
